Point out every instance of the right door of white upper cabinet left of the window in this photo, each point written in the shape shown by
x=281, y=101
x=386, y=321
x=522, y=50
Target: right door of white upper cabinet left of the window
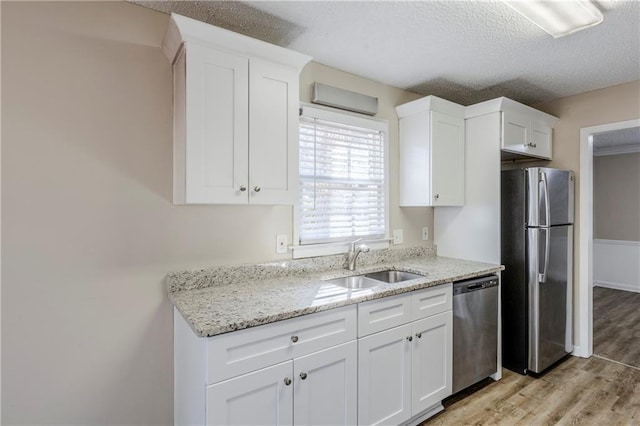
x=273, y=133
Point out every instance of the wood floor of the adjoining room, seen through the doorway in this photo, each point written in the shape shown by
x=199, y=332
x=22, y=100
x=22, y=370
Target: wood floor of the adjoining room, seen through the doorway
x=616, y=325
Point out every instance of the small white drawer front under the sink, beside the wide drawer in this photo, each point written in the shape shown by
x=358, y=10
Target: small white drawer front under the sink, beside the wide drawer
x=382, y=314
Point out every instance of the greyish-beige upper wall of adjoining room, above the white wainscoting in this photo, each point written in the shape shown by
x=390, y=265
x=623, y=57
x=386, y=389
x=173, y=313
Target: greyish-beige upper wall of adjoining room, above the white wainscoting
x=616, y=197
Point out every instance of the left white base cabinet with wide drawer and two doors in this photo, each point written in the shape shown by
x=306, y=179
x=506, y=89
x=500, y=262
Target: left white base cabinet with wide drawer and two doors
x=299, y=371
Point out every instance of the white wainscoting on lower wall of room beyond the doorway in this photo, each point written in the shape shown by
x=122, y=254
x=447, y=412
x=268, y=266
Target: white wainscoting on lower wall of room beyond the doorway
x=615, y=264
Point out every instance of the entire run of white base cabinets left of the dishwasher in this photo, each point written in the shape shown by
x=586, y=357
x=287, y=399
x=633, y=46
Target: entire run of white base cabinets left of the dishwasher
x=315, y=370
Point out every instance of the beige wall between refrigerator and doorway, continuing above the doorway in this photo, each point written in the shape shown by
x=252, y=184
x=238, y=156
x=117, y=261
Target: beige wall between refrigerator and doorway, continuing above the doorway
x=609, y=105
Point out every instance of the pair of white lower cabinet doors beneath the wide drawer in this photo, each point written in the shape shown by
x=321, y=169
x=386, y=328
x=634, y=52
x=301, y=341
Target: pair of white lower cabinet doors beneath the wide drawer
x=316, y=389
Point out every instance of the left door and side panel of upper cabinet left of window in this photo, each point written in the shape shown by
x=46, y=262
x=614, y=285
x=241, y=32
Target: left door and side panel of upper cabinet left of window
x=211, y=137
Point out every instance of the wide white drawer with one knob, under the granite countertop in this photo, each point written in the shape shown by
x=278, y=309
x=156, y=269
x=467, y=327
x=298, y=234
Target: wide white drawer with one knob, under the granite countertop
x=240, y=352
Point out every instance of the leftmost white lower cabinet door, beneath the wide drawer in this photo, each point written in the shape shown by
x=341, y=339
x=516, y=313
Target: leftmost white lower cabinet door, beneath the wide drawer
x=259, y=398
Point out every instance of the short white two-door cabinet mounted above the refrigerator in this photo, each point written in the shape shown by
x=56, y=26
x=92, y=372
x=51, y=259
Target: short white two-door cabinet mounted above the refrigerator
x=526, y=132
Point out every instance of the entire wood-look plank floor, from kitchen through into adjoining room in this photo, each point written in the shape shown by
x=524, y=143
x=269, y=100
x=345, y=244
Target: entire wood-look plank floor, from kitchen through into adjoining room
x=597, y=391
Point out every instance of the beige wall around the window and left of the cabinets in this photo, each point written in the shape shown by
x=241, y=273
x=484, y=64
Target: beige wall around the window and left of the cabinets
x=88, y=228
